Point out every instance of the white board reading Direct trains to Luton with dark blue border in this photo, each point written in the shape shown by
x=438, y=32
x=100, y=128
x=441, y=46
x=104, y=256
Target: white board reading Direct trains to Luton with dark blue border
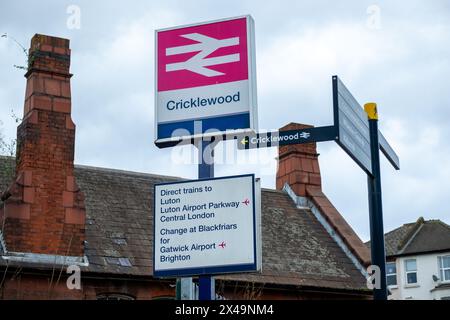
x=207, y=226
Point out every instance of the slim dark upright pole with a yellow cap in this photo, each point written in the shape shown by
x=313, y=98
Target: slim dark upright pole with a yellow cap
x=375, y=206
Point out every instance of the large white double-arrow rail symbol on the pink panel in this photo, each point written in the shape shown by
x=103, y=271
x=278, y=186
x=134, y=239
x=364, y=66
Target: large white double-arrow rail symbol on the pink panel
x=198, y=63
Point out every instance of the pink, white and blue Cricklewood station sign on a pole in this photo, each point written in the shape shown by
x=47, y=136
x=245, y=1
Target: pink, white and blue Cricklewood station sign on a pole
x=205, y=79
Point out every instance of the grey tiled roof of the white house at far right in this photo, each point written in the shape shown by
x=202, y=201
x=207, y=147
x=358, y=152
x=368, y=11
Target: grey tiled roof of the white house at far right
x=421, y=236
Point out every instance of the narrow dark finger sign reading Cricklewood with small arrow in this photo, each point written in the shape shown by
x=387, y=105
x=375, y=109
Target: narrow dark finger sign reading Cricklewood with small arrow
x=281, y=138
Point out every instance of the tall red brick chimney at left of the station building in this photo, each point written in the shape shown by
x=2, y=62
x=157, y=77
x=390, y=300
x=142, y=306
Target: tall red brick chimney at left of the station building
x=44, y=209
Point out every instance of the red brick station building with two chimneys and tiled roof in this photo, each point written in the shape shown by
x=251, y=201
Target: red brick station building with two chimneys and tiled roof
x=54, y=214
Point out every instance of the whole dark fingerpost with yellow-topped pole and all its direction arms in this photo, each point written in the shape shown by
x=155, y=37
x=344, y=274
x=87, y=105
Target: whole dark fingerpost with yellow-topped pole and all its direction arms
x=356, y=131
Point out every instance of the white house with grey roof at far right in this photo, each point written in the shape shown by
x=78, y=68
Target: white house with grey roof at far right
x=418, y=261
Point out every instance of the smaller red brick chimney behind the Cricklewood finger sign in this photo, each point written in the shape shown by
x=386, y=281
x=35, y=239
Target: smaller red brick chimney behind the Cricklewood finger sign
x=298, y=165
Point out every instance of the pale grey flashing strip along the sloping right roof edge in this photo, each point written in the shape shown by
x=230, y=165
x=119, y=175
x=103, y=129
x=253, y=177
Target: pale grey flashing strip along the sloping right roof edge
x=305, y=203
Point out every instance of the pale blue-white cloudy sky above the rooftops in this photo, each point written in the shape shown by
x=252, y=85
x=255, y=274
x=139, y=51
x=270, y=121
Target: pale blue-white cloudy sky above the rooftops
x=397, y=54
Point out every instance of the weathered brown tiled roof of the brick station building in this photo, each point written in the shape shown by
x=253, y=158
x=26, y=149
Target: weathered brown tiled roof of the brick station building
x=297, y=250
